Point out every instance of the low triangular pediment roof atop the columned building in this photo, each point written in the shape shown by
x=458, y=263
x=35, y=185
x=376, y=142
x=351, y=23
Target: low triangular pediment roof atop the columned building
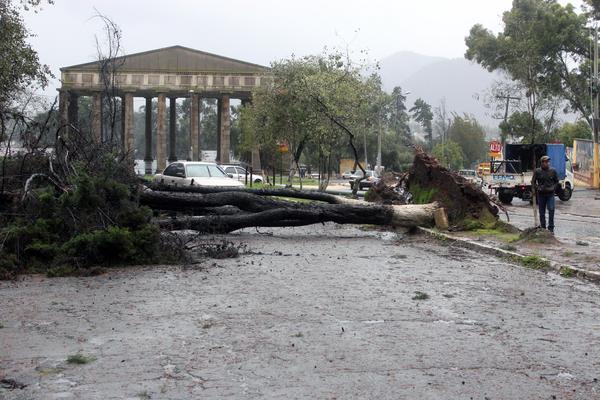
x=175, y=59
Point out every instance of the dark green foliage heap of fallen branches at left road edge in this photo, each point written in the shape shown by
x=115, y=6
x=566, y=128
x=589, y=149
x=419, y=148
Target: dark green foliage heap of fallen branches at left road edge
x=98, y=223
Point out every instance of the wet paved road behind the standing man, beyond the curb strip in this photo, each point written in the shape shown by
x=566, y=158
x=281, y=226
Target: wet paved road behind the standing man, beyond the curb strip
x=576, y=219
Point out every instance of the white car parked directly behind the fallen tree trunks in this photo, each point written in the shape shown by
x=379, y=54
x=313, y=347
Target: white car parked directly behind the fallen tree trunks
x=191, y=173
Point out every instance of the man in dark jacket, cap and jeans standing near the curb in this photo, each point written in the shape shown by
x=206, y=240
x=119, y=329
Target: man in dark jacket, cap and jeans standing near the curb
x=544, y=184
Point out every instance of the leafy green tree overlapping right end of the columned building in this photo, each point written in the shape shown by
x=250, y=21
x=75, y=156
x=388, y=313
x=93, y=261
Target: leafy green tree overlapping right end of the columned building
x=319, y=100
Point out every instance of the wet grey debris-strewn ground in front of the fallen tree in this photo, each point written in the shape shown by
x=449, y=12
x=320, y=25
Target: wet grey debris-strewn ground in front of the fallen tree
x=317, y=312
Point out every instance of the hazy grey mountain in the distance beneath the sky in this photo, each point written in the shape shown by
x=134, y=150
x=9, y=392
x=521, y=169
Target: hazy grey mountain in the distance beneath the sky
x=462, y=83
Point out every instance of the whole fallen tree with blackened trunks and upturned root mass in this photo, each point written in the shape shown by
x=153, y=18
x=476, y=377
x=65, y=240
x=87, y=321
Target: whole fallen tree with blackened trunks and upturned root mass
x=434, y=188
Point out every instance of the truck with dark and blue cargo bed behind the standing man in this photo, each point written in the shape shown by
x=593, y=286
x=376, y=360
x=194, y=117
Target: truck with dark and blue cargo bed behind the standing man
x=511, y=177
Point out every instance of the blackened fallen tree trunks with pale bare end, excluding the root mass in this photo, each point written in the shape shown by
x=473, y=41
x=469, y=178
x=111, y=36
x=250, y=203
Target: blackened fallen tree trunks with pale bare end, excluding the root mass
x=260, y=211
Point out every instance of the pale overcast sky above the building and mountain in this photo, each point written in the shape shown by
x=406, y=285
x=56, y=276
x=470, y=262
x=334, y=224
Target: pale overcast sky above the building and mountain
x=261, y=31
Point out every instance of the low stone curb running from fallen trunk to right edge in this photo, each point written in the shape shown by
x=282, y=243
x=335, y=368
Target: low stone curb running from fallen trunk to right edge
x=592, y=276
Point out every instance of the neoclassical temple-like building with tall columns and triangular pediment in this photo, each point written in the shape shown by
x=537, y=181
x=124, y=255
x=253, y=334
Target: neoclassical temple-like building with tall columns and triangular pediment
x=170, y=72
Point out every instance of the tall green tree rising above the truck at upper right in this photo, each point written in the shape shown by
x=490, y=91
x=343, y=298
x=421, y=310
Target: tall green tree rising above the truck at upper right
x=544, y=46
